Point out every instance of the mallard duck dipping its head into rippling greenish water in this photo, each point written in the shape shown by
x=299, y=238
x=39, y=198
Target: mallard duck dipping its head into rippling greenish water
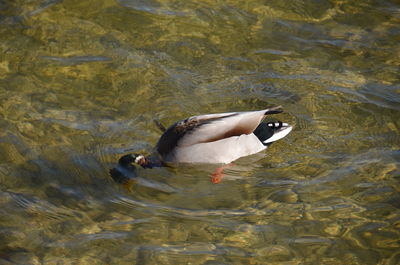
x=218, y=138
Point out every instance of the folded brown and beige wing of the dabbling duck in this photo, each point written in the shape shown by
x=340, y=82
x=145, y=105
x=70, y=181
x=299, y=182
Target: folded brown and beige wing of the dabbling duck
x=210, y=128
